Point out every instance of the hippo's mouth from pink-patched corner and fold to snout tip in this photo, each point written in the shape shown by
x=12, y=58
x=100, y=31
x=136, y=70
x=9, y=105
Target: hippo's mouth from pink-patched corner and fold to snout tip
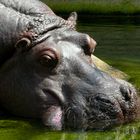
x=99, y=112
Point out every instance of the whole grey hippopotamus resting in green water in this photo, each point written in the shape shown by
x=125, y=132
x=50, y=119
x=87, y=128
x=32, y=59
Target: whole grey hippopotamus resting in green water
x=46, y=72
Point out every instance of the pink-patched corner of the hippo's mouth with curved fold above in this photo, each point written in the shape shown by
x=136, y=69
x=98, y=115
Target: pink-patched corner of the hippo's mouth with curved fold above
x=53, y=114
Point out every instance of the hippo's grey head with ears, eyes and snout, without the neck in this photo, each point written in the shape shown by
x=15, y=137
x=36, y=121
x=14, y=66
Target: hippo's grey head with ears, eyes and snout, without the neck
x=54, y=80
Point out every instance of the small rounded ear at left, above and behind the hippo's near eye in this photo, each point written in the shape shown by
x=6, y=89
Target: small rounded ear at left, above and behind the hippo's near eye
x=23, y=44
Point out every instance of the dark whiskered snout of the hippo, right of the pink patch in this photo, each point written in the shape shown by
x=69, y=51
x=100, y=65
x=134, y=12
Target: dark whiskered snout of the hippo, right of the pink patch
x=99, y=111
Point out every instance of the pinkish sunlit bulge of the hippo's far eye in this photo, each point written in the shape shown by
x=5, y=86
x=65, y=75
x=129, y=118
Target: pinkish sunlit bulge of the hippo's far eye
x=91, y=44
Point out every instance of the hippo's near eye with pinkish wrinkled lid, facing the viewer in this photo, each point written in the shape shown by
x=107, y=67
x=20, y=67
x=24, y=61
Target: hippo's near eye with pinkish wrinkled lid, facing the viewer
x=49, y=59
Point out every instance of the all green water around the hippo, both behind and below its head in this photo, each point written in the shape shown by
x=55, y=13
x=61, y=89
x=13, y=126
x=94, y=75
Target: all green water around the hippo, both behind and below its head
x=119, y=46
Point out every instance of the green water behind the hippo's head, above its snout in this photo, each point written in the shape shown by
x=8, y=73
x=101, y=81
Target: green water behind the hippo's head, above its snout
x=119, y=45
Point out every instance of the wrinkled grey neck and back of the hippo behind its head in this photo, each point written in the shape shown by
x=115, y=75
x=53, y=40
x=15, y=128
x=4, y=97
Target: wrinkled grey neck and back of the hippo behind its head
x=28, y=18
